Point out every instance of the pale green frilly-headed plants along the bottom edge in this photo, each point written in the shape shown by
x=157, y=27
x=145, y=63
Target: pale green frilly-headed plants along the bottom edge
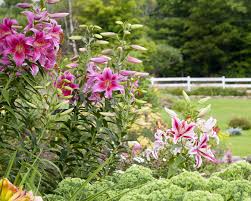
x=137, y=184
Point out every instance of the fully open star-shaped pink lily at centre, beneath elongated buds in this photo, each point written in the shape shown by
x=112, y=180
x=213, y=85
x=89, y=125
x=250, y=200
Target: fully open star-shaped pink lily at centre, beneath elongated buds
x=107, y=82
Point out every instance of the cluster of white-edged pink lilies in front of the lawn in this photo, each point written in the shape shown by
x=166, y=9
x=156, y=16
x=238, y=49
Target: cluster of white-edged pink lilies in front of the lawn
x=183, y=135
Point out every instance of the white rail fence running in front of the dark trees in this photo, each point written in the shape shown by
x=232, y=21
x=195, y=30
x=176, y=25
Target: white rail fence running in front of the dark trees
x=191, y=82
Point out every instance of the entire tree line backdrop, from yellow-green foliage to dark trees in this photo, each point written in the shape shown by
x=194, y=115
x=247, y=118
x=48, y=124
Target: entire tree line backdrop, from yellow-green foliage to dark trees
x=183, y=37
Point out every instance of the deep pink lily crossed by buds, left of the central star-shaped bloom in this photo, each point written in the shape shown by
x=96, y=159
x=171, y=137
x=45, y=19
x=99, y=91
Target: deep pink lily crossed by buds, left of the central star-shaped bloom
x=65, y=82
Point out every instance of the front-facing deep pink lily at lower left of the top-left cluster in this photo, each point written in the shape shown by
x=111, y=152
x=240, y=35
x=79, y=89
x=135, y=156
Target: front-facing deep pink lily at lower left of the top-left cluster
x=18, y=47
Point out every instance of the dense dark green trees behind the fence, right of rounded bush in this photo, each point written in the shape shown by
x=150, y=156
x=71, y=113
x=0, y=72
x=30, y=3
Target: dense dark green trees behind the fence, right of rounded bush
x=213, y=36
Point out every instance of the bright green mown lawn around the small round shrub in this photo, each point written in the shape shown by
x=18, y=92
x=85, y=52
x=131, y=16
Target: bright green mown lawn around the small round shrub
x=223, y=110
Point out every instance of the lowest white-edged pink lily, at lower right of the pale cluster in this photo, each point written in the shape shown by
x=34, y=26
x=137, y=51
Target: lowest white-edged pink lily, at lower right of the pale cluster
x=201, y=149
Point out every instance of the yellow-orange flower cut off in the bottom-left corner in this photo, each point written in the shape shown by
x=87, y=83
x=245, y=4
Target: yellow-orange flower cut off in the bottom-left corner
x=9, y=192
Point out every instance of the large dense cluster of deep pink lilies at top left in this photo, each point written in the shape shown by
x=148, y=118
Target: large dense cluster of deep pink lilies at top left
x=36, y=45
